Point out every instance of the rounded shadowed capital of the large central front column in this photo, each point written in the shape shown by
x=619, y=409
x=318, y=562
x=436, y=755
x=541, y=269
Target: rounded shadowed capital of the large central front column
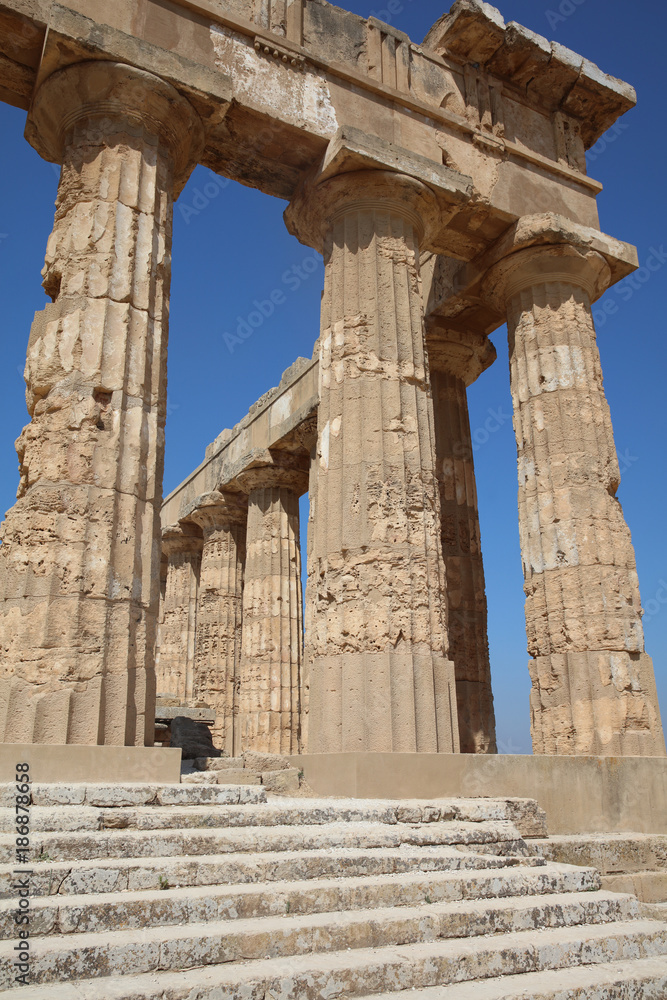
x=318, y=205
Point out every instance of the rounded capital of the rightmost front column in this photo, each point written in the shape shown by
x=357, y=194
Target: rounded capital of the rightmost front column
x=538, y=265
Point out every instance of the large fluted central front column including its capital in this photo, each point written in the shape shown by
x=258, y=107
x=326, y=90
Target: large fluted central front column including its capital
x=380, y=676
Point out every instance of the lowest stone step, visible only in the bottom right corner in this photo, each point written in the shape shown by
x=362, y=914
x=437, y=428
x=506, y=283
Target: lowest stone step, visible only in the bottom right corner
x=639, y=979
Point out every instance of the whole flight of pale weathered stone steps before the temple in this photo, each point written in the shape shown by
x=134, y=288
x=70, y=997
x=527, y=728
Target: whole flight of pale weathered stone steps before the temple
x=214, y=892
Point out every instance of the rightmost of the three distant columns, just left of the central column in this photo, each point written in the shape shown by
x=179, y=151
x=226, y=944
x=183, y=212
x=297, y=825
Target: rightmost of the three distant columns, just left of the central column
x=272, y=609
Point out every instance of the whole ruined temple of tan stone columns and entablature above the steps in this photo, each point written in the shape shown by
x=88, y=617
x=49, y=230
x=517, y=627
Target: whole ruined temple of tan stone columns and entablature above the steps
x=445, y=186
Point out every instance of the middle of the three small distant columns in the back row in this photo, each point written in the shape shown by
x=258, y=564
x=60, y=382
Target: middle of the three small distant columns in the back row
x=222, y=518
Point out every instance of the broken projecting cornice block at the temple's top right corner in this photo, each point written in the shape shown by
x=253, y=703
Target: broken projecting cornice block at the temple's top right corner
x=549, y=73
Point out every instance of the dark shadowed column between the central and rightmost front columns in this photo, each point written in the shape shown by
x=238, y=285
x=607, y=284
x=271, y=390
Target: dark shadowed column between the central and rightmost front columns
x=456, y=360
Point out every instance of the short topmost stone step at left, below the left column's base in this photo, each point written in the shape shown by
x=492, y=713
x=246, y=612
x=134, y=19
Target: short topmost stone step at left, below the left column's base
x=112, y=795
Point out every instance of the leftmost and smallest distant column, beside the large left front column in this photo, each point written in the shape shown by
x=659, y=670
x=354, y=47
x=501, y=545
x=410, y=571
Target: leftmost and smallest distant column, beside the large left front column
x=175, y=655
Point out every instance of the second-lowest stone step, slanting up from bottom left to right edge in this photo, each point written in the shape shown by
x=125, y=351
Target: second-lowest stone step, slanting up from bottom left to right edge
x=365, y=972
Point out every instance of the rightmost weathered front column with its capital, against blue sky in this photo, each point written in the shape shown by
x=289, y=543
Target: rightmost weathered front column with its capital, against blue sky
x=593, y=684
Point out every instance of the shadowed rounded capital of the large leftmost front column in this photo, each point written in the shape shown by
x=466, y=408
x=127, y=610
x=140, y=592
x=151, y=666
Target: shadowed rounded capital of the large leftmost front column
x=106, y=93
